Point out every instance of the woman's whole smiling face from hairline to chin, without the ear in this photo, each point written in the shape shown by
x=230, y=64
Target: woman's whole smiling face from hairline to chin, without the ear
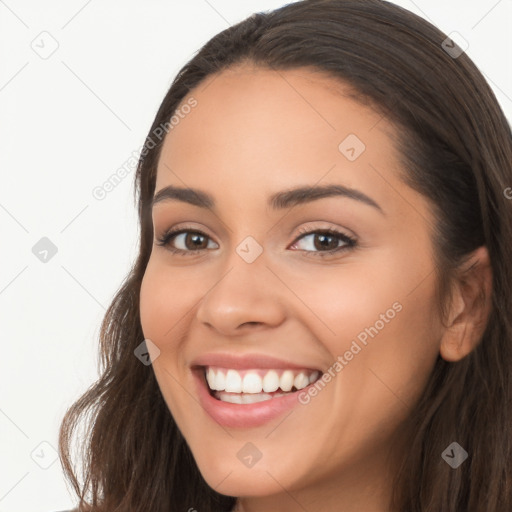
x=329, y=294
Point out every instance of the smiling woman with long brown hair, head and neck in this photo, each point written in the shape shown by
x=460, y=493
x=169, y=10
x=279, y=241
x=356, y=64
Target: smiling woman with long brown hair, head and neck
x=319, y=317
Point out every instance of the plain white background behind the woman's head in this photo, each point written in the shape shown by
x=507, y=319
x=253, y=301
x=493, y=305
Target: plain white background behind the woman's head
x=67, y=122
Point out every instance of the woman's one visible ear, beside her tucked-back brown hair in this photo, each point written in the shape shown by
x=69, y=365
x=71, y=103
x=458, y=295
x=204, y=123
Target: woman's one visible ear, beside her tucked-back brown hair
x=470, y=308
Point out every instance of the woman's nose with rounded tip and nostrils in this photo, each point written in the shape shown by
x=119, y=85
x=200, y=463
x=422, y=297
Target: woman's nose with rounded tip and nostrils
x=245, y=298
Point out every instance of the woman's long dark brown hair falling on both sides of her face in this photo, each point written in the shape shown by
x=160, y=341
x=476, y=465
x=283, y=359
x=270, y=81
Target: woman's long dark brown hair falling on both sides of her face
x=456, y=149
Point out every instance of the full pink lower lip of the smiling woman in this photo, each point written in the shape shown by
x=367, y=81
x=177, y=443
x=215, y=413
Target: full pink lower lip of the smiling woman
x=243, y=415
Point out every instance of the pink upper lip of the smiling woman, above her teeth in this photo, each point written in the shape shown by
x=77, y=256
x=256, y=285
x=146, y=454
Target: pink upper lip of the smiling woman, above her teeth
x=245, y=361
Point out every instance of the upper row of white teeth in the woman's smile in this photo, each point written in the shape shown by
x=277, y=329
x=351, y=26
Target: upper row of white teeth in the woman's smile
x=258, y=381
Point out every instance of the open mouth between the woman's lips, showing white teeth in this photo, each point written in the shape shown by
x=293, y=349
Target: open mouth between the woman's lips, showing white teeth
x=249, y=386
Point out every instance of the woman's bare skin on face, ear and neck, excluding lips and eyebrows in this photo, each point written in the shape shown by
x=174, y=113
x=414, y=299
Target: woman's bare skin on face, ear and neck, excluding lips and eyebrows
x=255, y=132
